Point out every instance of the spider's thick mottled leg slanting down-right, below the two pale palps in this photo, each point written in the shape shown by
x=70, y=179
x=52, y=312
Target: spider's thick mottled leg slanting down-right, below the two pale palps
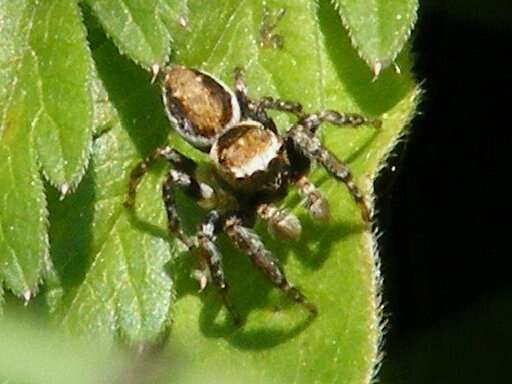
x=249, y=242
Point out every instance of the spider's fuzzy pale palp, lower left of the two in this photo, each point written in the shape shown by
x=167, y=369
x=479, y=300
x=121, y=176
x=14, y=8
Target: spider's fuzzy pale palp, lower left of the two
x=281, y=222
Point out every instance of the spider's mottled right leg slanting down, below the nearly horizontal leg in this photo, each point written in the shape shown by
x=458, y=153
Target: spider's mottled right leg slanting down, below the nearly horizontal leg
x=310, y=146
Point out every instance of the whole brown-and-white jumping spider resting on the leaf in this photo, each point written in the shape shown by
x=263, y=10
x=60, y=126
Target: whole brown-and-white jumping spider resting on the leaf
x=253, y=164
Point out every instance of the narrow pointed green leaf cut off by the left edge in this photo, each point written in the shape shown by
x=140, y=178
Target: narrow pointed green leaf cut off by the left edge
x=23, y=237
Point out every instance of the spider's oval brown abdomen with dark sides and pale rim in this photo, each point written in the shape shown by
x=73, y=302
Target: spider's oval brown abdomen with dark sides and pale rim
x=201, y=107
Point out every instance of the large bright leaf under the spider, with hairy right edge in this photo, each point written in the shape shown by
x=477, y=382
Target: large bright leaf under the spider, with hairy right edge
x=335, y=264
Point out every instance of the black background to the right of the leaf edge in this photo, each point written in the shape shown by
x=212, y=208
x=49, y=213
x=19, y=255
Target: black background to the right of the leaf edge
x=444, y=210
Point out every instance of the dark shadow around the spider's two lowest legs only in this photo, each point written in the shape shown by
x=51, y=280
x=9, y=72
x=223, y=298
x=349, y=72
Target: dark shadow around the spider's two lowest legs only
x=249, y=292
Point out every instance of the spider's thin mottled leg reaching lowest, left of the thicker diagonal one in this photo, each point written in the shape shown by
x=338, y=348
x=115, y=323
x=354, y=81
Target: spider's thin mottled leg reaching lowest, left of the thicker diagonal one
x=206, y=240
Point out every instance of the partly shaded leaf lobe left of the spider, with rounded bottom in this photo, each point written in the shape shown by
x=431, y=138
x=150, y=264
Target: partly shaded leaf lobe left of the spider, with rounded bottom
x=111, y=265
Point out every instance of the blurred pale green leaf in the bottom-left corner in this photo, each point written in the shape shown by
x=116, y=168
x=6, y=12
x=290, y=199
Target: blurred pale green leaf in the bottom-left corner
x=31, y=353
